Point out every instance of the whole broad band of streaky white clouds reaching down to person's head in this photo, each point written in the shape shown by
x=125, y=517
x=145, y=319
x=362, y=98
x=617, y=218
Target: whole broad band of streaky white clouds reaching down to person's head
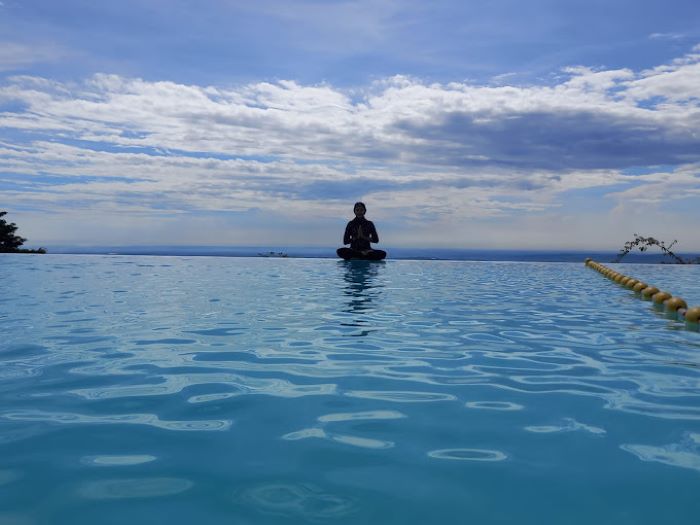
x=439, y=152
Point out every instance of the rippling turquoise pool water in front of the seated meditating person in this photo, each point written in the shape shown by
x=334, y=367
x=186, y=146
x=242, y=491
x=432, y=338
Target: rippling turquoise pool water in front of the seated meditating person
x=249, y=390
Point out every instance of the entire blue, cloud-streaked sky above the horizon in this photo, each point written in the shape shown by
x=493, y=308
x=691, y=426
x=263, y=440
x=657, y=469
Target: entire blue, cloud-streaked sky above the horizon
x=546, y=124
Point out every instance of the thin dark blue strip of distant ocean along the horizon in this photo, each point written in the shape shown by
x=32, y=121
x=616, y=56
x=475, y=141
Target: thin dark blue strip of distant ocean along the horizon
x=444, y=254
